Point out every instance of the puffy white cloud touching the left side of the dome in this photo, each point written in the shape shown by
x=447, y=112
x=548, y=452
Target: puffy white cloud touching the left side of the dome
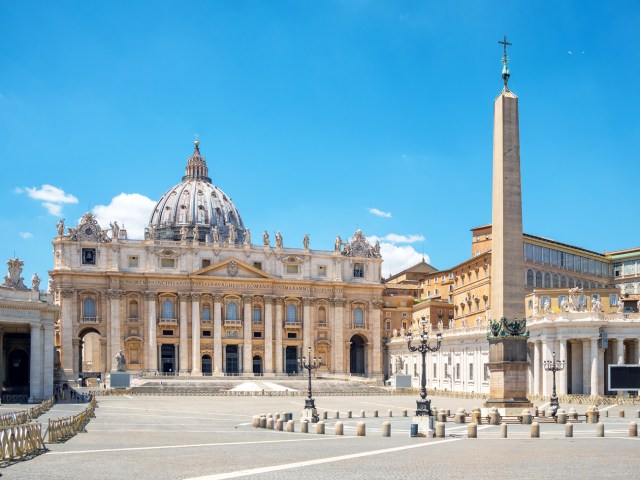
x=131, y=210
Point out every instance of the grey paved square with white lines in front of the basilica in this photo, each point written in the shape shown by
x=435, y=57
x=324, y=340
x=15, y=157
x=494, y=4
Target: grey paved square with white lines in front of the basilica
x=200, y=437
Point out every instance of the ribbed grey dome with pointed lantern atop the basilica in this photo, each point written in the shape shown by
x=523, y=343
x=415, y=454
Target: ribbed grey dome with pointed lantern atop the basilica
x=196, y=208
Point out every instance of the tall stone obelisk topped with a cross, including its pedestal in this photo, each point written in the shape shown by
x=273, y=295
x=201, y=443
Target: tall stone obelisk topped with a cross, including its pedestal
x=507, y=333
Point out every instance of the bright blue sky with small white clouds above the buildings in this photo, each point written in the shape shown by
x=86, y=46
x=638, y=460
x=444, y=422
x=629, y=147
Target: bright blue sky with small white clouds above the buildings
x=313, y=115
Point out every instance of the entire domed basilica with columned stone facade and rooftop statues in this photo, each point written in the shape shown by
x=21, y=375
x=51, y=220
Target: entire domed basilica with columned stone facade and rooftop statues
x=198, y=297
